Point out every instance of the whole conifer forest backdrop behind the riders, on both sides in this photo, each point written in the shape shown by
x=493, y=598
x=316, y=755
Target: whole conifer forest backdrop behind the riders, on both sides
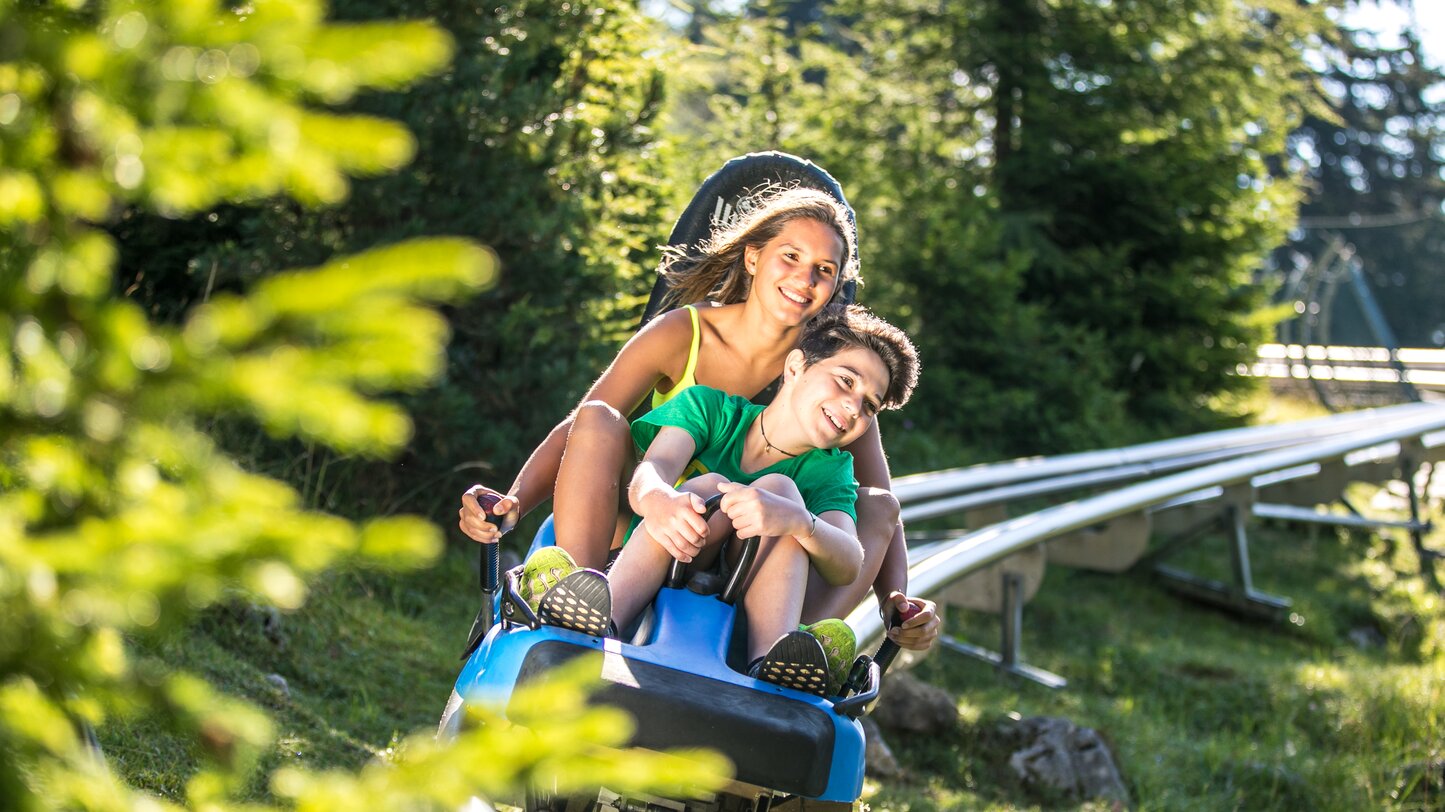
x=1082, y=210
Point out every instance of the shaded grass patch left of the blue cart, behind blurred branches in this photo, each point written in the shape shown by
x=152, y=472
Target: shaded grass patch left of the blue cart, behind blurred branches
x=368, y=661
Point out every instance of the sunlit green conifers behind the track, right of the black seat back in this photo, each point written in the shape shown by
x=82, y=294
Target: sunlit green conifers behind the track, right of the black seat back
x=1066, y=202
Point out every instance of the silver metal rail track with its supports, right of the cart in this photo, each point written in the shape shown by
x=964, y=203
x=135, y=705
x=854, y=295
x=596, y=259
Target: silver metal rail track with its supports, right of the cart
x=1226, y=472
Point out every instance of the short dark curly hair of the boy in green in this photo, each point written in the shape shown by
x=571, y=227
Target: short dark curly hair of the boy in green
x=839, y=329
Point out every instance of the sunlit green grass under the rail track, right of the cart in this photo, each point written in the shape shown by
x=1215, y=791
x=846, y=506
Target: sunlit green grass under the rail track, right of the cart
x=1204, y=712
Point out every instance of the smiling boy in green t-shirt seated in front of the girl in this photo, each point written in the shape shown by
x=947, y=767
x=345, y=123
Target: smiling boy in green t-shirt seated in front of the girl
x=784, y=480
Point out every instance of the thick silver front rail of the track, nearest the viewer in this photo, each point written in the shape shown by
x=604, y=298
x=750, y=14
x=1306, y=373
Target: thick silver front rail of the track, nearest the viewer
x=1423, y=426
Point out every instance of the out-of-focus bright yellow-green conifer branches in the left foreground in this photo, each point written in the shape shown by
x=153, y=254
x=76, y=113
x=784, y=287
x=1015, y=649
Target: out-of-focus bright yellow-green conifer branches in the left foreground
x=119, y=514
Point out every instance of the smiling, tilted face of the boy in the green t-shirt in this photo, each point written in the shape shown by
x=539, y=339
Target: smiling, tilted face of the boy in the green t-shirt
x=836, y=399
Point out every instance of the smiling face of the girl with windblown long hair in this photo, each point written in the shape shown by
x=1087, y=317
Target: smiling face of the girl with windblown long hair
x=795, y=272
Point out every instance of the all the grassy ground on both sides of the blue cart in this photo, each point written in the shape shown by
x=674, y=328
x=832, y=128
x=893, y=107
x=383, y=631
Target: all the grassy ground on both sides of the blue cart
x=1203, y=712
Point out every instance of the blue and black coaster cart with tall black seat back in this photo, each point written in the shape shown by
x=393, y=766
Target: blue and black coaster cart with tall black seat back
x=681, y=674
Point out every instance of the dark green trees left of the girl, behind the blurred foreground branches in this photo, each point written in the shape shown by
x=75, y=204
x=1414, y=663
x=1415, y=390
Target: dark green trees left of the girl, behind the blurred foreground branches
x=540, y=141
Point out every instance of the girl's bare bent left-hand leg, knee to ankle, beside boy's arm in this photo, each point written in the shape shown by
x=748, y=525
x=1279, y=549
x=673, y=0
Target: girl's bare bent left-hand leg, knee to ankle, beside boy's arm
x=599, y=457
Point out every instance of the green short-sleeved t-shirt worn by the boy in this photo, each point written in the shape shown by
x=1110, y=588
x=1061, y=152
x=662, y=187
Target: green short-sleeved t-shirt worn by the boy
x=719, y=426
